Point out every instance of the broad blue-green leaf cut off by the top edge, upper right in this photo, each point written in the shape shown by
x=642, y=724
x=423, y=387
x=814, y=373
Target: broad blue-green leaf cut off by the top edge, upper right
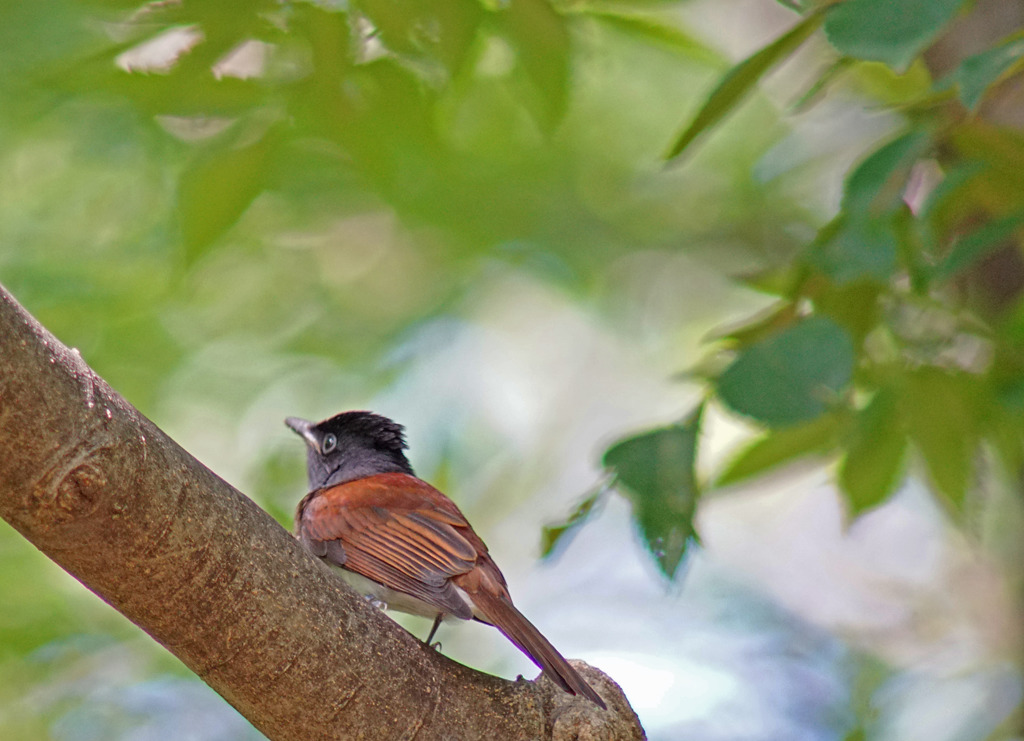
x=890, y=31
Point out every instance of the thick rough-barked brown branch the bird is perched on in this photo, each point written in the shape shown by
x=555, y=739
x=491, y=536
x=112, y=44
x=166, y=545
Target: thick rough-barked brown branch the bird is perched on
x=111, y=499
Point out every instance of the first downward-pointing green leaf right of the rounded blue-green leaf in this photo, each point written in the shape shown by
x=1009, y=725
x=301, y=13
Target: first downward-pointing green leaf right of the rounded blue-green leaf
x=874, y=462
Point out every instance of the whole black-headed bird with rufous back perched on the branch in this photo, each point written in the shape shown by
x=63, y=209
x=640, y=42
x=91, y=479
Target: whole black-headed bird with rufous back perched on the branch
x=402, y=543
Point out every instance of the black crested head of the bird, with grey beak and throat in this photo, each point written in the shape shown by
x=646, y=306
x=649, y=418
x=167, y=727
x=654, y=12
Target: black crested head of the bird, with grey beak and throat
x=352, y=446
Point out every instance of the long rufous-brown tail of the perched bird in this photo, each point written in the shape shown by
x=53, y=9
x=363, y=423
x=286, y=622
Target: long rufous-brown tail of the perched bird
x=500, y=613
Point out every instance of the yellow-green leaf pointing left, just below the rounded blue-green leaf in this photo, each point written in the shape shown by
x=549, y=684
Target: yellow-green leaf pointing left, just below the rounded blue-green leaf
x=783, y=447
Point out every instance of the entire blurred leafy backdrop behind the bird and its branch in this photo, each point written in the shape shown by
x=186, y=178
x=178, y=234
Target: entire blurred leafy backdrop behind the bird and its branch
x=715, y=306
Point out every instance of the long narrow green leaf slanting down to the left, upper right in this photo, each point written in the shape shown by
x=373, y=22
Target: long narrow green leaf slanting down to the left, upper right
x=741, y=80
